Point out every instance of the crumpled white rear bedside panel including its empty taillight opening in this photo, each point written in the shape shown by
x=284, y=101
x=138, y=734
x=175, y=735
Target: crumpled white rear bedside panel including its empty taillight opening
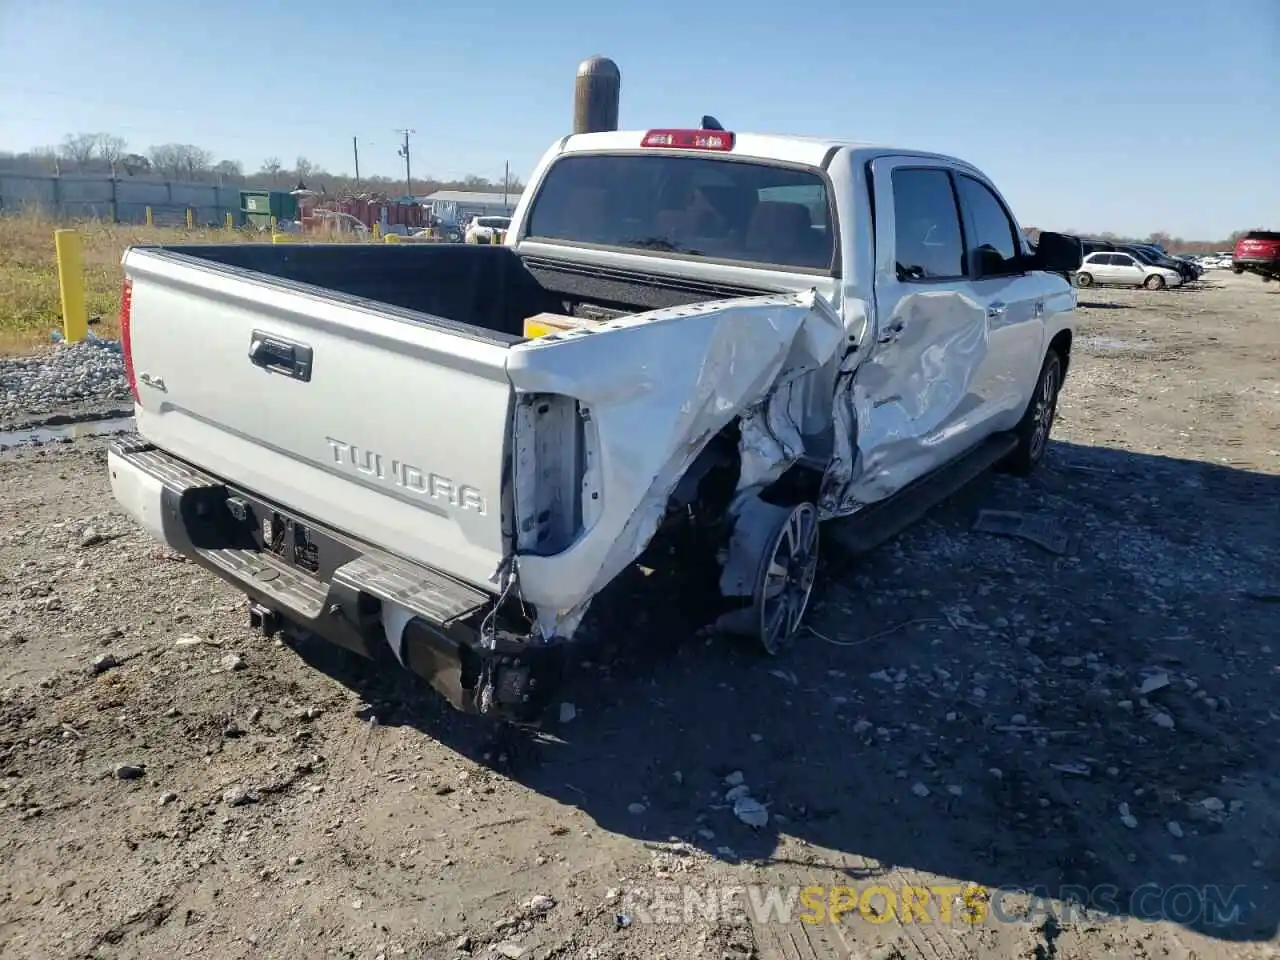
x=611, y=418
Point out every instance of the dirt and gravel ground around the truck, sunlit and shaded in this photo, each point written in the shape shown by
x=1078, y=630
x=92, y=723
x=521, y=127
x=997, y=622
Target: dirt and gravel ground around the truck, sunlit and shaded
x=968, y=710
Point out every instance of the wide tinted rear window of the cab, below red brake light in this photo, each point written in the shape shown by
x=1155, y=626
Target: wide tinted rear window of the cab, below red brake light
x=714, y=208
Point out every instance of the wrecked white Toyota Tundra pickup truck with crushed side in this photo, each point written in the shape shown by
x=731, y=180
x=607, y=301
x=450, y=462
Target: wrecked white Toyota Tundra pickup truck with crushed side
x=772, y=333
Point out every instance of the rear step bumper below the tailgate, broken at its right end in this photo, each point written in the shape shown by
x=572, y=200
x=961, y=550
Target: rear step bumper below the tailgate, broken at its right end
x=323, y=583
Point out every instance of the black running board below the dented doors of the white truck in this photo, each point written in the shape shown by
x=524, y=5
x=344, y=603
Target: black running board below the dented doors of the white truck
x=880, y=523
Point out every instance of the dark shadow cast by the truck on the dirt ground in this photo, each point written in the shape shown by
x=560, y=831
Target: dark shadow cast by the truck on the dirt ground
x=966, y=707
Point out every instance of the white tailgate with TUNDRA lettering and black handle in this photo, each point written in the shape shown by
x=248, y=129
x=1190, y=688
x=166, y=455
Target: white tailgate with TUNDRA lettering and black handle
x=363, y=415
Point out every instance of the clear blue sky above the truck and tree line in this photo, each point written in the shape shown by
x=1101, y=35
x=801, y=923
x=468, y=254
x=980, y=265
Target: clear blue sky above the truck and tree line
x=1131, y=116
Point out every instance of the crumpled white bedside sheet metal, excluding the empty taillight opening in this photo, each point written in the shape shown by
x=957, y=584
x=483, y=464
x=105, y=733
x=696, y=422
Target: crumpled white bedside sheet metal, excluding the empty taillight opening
x=657, y=388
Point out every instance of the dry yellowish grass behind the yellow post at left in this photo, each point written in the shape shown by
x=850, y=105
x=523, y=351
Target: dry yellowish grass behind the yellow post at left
x=30, y=301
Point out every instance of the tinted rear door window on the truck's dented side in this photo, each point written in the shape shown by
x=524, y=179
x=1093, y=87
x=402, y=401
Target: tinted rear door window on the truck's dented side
x=930, y=244
